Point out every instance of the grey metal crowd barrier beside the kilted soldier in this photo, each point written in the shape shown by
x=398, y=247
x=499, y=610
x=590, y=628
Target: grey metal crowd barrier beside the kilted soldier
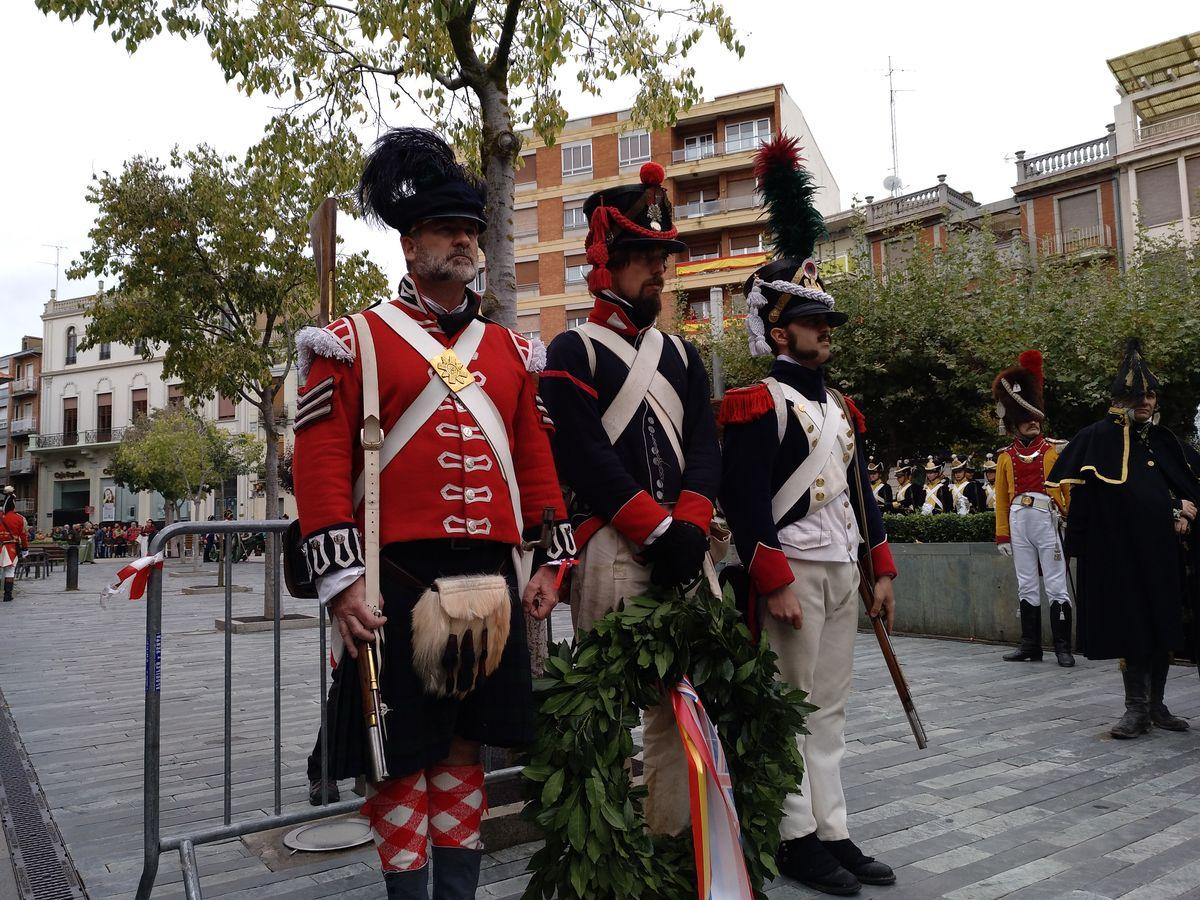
x=187, y=842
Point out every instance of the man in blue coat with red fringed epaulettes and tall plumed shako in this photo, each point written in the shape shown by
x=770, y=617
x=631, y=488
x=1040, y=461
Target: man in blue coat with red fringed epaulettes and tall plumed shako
x=794, y=490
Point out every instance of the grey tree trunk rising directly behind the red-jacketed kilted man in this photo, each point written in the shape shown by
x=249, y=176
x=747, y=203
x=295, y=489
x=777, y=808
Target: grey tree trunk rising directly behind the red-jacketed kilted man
x=499, y=153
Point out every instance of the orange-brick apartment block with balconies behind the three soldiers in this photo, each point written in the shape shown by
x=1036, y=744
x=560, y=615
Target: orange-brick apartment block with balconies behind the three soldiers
x=707, y=157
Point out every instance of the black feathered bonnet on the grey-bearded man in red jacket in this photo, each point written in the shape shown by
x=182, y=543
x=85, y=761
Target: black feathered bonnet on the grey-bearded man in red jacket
x=412, y=176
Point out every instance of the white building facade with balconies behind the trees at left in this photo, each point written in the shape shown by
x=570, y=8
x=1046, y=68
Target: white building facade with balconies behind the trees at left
x=91, y=398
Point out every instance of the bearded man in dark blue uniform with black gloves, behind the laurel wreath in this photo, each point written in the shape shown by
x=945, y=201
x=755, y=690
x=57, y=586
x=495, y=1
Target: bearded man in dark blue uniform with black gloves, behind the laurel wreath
x=635, y=442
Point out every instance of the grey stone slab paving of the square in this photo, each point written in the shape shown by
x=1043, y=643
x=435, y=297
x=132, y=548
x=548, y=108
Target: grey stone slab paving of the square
x=1022, y=794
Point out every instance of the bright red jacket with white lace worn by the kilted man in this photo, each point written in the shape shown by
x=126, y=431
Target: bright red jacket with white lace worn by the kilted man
x=446, y=482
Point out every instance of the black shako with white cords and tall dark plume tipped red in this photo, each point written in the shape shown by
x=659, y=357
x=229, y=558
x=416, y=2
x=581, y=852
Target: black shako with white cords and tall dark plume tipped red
x=789, y=287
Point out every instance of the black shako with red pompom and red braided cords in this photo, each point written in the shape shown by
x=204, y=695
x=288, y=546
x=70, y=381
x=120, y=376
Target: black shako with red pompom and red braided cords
x=628, y=217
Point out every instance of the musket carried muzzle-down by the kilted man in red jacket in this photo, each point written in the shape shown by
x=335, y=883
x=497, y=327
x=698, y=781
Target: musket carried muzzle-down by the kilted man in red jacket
x=323, y=235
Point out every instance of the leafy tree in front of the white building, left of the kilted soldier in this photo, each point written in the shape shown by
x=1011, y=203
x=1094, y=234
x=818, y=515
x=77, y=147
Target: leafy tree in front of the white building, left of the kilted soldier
x=211, y=255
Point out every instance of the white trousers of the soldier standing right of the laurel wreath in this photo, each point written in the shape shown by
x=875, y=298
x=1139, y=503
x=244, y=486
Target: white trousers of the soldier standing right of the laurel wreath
x=820, y=659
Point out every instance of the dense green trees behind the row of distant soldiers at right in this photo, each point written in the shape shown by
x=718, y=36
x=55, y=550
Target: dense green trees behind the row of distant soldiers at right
x=923, y=344
